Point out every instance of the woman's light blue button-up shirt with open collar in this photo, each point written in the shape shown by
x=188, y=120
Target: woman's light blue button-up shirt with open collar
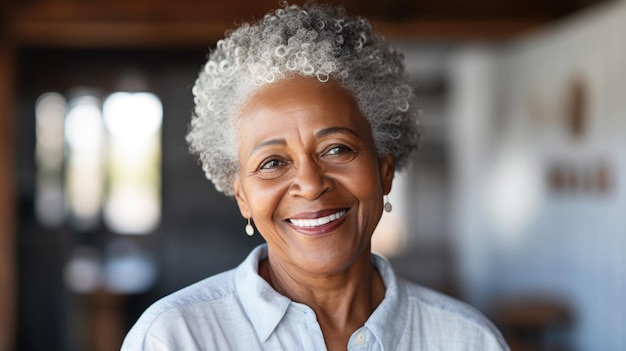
x=239, y=310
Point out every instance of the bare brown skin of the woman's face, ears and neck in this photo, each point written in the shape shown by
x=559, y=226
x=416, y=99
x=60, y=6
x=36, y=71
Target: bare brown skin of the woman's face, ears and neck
x=311, y=180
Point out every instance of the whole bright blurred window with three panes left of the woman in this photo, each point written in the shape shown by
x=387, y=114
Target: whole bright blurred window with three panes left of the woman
x=99, y=162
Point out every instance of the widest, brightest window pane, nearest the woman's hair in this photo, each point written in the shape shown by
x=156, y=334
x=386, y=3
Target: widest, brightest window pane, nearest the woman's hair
x=134, y=124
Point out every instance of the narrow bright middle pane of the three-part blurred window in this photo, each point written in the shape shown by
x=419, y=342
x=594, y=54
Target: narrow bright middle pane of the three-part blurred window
x=84, y=134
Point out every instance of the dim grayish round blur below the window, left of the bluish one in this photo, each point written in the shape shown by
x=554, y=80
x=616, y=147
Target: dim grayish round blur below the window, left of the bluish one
x=83, y=273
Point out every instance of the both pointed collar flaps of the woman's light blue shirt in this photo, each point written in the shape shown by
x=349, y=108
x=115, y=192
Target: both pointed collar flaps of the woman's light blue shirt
x=266, y=308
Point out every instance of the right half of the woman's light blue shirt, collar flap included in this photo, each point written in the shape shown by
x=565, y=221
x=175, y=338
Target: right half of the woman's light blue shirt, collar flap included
x=421, y=318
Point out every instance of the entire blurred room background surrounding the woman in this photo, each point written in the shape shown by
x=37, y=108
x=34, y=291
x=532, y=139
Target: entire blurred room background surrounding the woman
x=516, y=202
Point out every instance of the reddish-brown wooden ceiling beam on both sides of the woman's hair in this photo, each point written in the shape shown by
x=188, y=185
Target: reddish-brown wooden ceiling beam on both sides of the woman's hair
x=161, y=23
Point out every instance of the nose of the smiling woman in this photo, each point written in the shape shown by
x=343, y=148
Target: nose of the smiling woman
x=311, y=180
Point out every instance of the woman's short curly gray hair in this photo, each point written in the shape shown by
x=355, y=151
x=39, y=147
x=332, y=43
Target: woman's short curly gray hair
x=311, y=41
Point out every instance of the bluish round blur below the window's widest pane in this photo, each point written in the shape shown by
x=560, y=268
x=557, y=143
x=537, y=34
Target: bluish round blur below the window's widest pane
x=128, y=268
